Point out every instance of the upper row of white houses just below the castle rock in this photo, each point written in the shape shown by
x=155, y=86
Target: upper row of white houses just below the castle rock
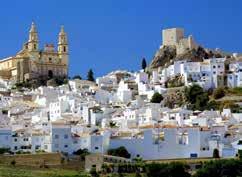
x=210, y=73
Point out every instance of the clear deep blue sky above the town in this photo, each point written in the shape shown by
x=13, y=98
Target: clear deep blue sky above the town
x=115, y=34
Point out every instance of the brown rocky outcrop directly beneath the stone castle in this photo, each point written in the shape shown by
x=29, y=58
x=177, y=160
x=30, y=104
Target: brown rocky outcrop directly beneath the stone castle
x=166, y=56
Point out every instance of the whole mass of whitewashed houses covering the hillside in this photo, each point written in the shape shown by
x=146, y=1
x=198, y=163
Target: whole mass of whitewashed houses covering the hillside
x=117, y=111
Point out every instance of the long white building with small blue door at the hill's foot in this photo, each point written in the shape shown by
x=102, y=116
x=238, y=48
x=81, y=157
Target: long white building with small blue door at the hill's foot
x=176, y=143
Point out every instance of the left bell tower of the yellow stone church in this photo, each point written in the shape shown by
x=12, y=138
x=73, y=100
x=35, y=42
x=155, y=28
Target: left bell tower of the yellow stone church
x=33, y=42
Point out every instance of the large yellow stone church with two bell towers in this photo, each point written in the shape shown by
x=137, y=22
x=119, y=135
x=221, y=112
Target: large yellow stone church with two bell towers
x=32, y=62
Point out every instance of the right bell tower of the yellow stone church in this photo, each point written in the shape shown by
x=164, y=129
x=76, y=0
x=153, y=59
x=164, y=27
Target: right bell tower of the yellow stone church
x=63, y=46
